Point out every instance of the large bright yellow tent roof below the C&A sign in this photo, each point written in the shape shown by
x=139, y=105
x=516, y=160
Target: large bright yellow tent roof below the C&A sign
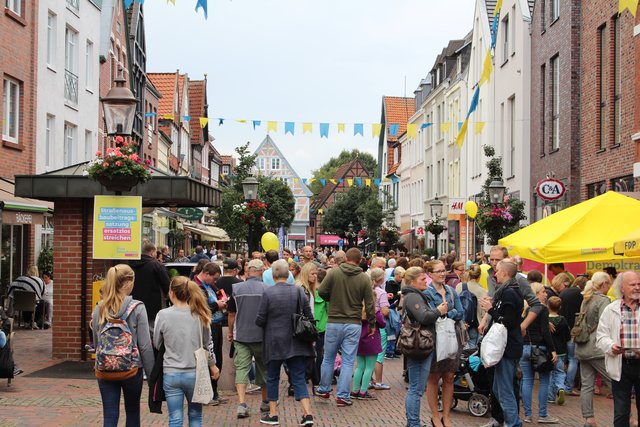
x=583, y=232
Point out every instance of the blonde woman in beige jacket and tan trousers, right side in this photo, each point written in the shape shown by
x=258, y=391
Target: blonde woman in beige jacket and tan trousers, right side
x=591, y=358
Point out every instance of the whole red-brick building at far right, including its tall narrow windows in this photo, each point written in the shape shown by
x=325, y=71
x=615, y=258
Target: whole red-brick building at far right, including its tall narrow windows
x=608, y=99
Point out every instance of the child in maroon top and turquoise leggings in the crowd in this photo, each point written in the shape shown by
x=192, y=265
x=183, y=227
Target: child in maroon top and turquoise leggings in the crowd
x=368, y=350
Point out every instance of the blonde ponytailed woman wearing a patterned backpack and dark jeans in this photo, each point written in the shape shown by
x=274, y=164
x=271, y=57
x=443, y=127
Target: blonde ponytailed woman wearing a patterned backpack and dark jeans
x=117, y=303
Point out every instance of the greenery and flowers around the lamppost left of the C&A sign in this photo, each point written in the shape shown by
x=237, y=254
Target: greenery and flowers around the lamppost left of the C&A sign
x=497, y=221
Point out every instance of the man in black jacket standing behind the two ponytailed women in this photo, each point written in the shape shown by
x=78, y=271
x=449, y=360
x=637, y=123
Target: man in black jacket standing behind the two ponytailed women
x=151, y=285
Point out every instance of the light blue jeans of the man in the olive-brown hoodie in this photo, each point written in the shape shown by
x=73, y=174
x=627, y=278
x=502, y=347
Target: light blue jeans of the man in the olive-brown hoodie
x=344, y=337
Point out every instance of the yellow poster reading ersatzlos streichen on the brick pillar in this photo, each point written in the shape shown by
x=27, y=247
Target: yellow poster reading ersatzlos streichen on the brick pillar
x=117, y=227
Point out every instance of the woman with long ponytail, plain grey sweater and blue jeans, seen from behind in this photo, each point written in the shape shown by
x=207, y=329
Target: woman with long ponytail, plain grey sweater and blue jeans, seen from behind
x=182, y=329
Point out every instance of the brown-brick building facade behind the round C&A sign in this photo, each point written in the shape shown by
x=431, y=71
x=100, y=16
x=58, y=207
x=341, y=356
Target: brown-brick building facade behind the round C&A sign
x=555, y=101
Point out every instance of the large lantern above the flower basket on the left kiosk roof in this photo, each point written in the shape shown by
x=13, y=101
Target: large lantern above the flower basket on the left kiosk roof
x=119, y=108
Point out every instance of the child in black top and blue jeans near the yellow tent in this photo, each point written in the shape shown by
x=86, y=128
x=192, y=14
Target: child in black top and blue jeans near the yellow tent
x=560, y=338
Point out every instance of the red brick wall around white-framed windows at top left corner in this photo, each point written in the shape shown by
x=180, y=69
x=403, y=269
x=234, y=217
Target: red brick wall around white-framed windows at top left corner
x=19, y=52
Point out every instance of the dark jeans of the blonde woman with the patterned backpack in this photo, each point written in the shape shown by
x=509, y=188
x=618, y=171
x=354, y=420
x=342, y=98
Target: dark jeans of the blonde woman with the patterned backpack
x=110, y=393
